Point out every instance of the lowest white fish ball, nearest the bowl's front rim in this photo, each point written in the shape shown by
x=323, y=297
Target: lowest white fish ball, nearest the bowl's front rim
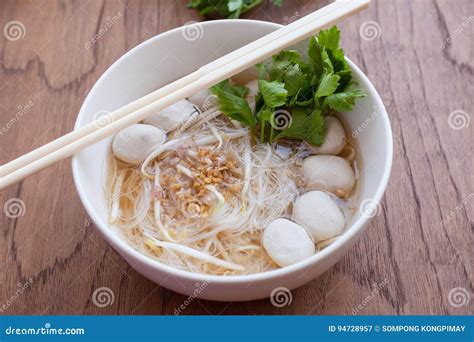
x=287, y=242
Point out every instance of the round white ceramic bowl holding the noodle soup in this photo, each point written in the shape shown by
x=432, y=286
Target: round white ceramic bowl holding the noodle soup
x=171, y=55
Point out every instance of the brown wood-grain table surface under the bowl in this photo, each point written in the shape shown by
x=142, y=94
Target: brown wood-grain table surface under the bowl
x=416, y=256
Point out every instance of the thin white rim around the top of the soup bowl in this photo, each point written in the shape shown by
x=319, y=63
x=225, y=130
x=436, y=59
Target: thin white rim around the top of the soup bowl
x=123, y=247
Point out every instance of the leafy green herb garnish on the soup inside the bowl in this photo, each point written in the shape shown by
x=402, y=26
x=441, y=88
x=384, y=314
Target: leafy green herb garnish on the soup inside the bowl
x=295, y=95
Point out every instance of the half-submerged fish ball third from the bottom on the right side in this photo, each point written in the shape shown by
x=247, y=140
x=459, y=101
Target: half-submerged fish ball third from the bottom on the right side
x=329, y=173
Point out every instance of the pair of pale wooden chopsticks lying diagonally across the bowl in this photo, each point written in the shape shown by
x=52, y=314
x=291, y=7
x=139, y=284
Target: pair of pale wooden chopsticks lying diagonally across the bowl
x=203, y=78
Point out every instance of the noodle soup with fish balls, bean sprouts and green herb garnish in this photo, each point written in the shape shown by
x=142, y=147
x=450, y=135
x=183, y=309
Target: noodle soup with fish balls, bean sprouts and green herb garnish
x=242, y=178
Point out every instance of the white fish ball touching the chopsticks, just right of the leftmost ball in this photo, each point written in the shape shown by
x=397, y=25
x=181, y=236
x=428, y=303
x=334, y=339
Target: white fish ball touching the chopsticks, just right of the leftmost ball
x=171, y=117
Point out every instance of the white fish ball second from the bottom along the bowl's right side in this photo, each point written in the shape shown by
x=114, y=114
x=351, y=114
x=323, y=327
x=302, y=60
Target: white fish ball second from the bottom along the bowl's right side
x=319, y=214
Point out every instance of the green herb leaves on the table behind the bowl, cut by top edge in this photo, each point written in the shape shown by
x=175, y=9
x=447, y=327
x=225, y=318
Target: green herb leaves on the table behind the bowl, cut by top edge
x=231, y=9
